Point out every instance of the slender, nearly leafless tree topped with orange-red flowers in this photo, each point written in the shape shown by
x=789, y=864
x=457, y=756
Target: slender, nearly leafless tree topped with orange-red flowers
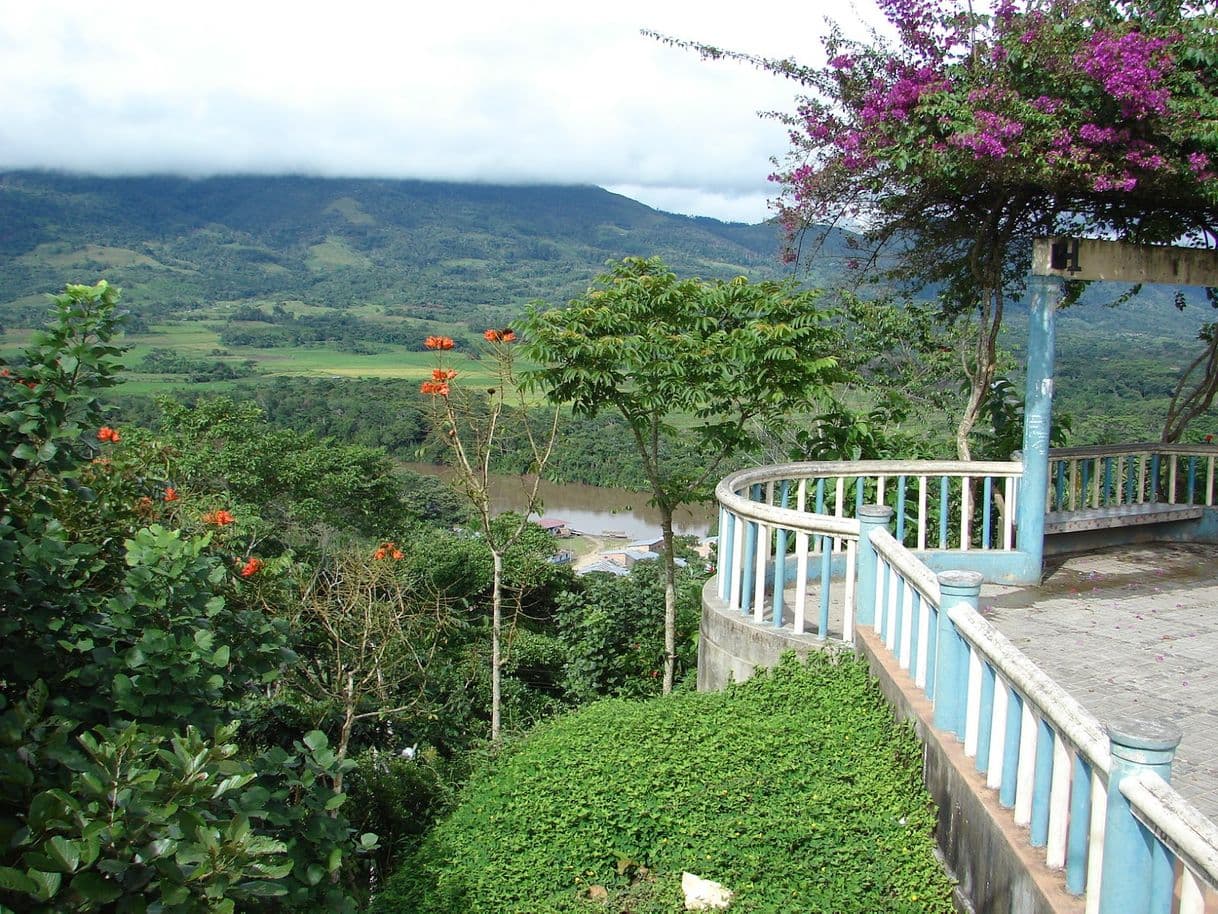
x=472, y=428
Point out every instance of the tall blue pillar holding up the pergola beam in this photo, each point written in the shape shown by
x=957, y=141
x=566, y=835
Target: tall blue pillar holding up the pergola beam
x=1046, y=293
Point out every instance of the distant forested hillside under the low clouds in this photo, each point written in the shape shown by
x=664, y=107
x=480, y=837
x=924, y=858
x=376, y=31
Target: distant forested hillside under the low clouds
x=465, y=252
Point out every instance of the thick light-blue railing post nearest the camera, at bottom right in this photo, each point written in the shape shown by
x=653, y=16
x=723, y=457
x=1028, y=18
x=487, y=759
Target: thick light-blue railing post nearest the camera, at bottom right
x=1137, y=872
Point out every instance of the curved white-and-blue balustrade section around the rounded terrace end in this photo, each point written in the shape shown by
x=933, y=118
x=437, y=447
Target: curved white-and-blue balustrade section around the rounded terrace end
x=798, y=523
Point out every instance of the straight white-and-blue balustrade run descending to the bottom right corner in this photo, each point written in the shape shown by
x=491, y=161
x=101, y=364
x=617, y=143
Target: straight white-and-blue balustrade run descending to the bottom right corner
x=1063, y=777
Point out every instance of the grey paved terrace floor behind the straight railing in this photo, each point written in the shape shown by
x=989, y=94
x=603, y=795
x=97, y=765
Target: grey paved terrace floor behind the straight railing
x=1131, y=632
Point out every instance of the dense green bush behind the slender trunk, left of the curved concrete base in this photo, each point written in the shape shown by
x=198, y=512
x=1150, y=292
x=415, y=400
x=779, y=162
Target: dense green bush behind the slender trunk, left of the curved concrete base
x=611, y=631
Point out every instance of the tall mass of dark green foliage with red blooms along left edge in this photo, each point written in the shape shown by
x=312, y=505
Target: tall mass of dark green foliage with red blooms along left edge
x=122, y=642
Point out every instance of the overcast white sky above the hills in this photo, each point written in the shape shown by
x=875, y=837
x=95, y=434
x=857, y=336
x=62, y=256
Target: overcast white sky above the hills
x=556, y=92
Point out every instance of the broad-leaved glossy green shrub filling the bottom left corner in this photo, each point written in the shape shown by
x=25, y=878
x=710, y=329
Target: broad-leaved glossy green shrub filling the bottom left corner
x=147, y=823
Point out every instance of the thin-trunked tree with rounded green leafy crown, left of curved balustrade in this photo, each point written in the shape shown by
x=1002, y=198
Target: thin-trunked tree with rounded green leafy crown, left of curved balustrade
x=712, y=361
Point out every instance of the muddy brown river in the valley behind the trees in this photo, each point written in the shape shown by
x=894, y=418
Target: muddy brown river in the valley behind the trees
x=589, y=509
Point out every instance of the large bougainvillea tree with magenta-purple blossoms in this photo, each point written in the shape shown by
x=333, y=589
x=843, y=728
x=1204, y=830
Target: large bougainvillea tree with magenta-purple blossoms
x=974, y=132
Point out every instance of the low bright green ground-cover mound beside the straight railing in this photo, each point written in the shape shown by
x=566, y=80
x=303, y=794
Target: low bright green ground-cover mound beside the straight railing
x=796, y=790
